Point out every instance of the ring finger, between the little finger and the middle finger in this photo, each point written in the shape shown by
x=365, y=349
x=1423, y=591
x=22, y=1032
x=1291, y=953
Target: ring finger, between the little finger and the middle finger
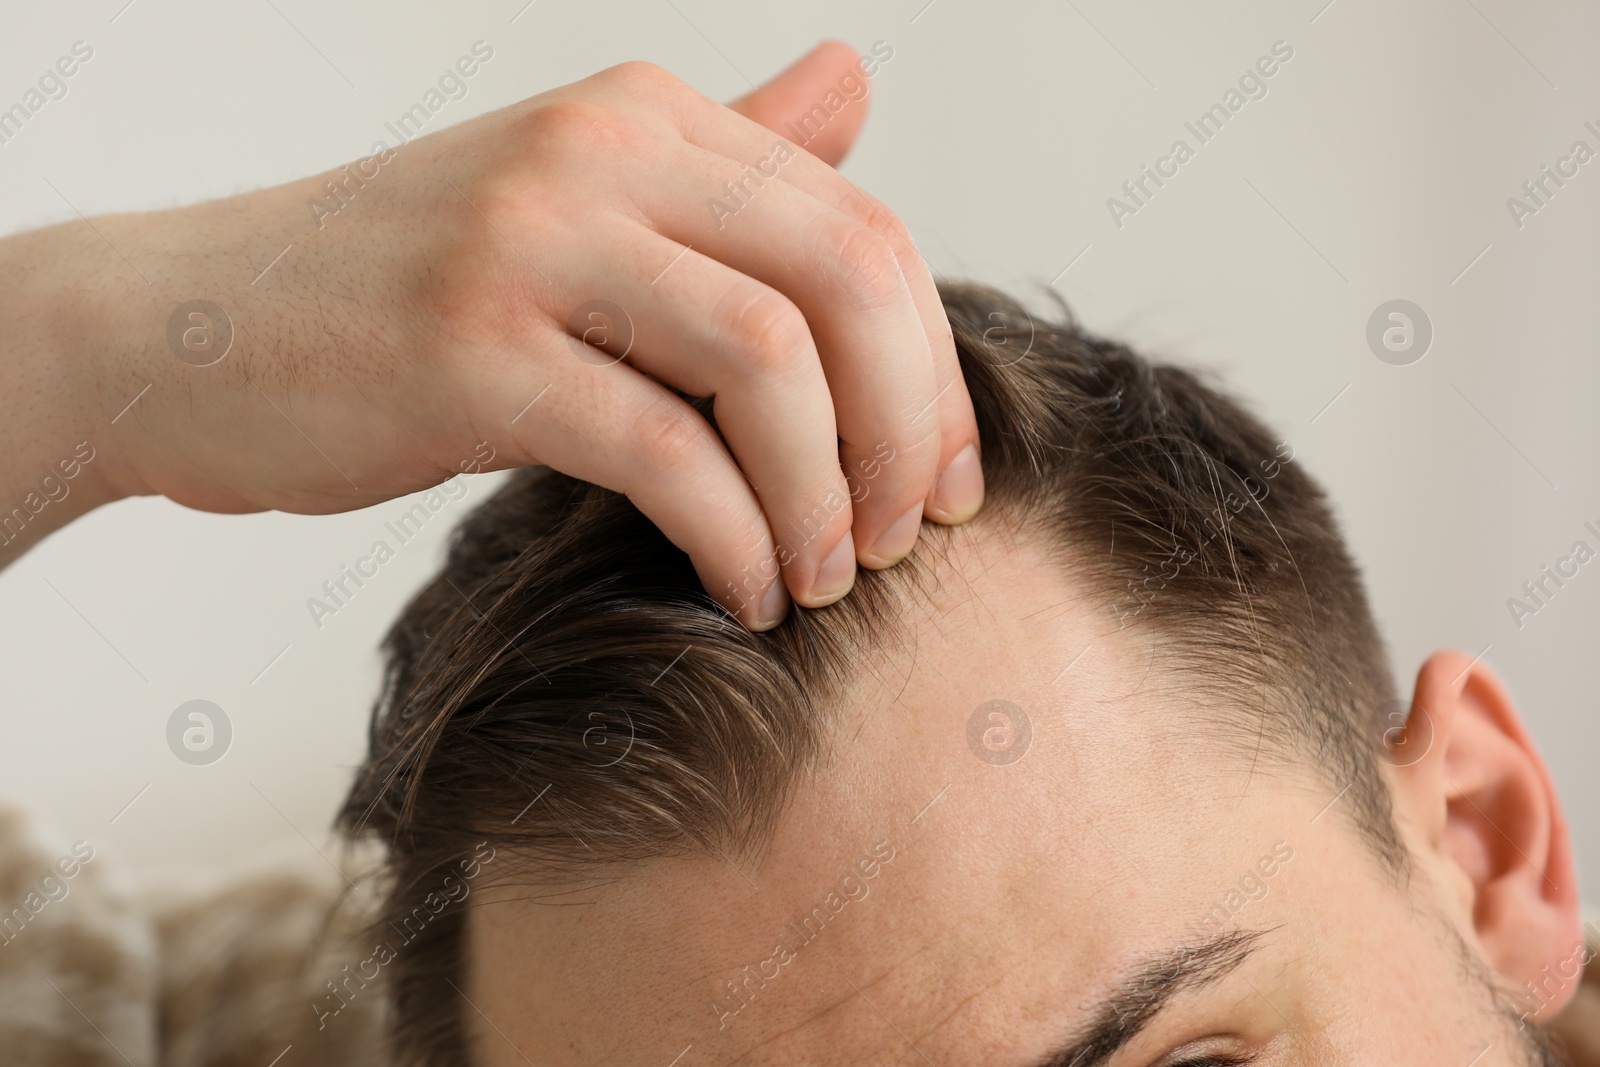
x=713, y=332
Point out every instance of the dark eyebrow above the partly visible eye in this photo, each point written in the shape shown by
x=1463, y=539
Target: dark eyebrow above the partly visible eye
x=1148, y=989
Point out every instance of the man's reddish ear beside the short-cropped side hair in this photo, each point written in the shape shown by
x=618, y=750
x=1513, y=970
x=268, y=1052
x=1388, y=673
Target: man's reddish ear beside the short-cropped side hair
x=1486, y=802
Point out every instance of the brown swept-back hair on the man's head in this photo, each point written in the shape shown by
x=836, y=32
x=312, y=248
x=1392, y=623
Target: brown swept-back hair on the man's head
x=566, y=628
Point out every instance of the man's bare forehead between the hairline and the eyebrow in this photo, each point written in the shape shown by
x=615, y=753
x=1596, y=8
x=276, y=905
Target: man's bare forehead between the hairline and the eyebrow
x=1015, y=804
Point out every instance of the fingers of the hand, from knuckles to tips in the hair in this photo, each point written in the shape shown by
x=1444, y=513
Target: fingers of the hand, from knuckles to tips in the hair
x=758, y=276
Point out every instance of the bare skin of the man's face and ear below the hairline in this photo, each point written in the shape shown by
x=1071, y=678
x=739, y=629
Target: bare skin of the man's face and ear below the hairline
x=1018, y=897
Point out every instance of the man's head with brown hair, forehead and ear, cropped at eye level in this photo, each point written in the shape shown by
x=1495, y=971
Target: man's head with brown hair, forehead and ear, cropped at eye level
x=1113, y=775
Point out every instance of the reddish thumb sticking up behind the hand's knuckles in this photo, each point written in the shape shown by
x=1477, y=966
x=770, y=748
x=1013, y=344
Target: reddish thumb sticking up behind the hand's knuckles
x=801, y=90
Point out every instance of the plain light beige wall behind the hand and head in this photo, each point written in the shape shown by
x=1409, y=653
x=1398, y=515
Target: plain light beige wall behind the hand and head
x=1377, y=167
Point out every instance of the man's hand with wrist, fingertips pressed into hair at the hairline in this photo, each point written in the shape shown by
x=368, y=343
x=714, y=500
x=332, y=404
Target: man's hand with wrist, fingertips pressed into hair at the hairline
x=426, y=319
